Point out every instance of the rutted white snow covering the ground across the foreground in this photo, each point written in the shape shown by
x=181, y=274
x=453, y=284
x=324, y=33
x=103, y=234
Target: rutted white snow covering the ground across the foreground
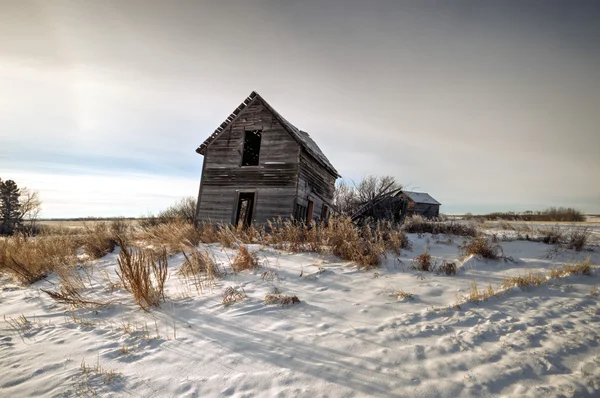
x=350, y=335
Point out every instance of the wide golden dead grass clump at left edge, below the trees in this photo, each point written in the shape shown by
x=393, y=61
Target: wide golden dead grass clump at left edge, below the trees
x=29, y=259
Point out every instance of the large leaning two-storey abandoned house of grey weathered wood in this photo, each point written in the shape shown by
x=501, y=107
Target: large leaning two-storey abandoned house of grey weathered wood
x=258, y=167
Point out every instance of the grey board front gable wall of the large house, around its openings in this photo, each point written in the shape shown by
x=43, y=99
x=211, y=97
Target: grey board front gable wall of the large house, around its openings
x=274, y=180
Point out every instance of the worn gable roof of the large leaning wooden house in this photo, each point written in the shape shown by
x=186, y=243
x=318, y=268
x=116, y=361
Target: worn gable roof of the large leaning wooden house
x=301, y=137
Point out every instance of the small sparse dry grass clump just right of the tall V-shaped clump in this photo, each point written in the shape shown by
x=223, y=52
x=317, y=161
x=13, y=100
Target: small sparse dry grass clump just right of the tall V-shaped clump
x=200, y=269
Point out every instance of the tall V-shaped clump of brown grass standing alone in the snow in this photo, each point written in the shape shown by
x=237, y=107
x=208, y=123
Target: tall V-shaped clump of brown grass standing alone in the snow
x=143, y=273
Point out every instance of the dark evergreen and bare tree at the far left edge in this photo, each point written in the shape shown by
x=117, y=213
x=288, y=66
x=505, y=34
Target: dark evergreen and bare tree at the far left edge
x=19, y=208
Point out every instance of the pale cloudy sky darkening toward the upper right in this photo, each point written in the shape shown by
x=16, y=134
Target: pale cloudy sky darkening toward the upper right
x=486, y=105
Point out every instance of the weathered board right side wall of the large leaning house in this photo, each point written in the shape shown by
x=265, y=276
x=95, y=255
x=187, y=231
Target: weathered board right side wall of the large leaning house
x=314, y=183
